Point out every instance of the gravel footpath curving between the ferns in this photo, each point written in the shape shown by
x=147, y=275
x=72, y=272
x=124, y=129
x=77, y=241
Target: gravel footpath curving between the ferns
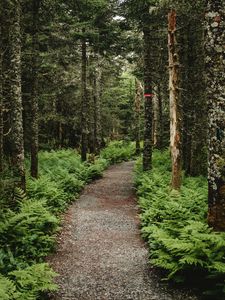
x=100, y=254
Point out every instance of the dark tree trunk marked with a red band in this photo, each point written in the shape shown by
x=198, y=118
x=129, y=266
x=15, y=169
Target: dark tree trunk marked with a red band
x=147, y=152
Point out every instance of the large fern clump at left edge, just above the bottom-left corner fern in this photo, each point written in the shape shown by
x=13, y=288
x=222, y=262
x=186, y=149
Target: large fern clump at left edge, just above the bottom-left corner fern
x=26, y=236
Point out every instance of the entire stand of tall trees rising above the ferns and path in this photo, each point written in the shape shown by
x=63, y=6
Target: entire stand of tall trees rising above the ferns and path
x=61, y=83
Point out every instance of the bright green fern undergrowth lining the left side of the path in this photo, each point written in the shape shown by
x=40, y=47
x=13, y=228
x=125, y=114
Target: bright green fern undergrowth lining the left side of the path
x=29, y=223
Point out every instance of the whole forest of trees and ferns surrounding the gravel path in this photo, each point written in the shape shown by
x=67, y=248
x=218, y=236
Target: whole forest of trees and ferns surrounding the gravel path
x=88, y=84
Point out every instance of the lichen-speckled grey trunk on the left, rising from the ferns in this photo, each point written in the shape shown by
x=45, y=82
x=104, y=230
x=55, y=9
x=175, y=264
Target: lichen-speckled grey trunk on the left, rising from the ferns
x=14, y=77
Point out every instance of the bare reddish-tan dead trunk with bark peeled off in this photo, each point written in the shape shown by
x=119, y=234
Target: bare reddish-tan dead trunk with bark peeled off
x=175, y=103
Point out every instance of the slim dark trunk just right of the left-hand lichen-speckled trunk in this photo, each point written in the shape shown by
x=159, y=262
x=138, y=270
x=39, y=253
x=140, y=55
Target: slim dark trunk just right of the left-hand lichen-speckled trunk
x=34, y=92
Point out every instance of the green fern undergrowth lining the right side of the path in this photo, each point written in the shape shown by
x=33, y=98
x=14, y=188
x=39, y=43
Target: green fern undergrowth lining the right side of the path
x=174, y=225
